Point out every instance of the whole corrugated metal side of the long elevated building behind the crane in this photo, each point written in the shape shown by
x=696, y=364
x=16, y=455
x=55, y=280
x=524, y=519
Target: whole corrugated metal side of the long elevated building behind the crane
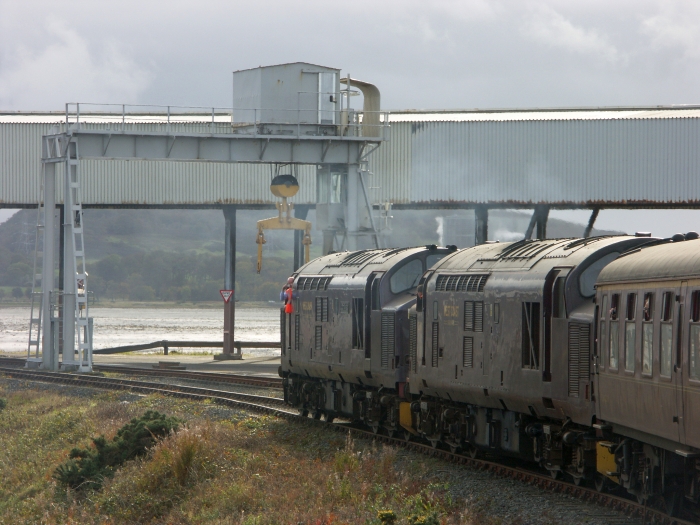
x=617, y=158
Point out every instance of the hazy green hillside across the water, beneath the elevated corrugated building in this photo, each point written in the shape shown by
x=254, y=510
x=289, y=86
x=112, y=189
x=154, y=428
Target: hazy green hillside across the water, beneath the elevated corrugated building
x=178, y=255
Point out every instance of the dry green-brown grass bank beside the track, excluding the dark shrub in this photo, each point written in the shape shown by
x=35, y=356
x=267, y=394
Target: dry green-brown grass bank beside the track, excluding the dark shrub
x=221, y=467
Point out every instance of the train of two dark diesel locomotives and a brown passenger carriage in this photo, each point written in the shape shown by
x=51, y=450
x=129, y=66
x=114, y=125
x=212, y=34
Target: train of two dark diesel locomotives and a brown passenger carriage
x=582, y=355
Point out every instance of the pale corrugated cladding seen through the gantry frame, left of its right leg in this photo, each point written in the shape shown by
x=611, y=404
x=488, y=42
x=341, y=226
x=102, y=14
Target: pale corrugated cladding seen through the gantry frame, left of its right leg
x=139, y=182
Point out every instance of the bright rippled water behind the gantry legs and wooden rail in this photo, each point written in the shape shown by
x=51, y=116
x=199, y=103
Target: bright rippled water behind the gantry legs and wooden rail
x=130, y=326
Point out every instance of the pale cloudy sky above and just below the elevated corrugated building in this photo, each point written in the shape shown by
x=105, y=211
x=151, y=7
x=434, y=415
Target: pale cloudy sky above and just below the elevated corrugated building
x=441, y=54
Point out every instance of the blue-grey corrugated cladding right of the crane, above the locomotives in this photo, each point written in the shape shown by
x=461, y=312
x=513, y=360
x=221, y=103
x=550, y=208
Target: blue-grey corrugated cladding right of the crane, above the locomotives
x=572, y=161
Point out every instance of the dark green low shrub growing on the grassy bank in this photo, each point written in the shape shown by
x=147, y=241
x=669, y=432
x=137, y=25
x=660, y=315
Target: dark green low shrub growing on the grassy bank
x=87, y=468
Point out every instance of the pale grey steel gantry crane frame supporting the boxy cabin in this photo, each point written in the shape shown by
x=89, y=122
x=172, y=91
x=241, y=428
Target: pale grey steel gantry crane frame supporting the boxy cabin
x=78, y=142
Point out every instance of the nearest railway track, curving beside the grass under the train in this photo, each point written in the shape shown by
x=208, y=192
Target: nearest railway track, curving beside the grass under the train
x=273, y=406
